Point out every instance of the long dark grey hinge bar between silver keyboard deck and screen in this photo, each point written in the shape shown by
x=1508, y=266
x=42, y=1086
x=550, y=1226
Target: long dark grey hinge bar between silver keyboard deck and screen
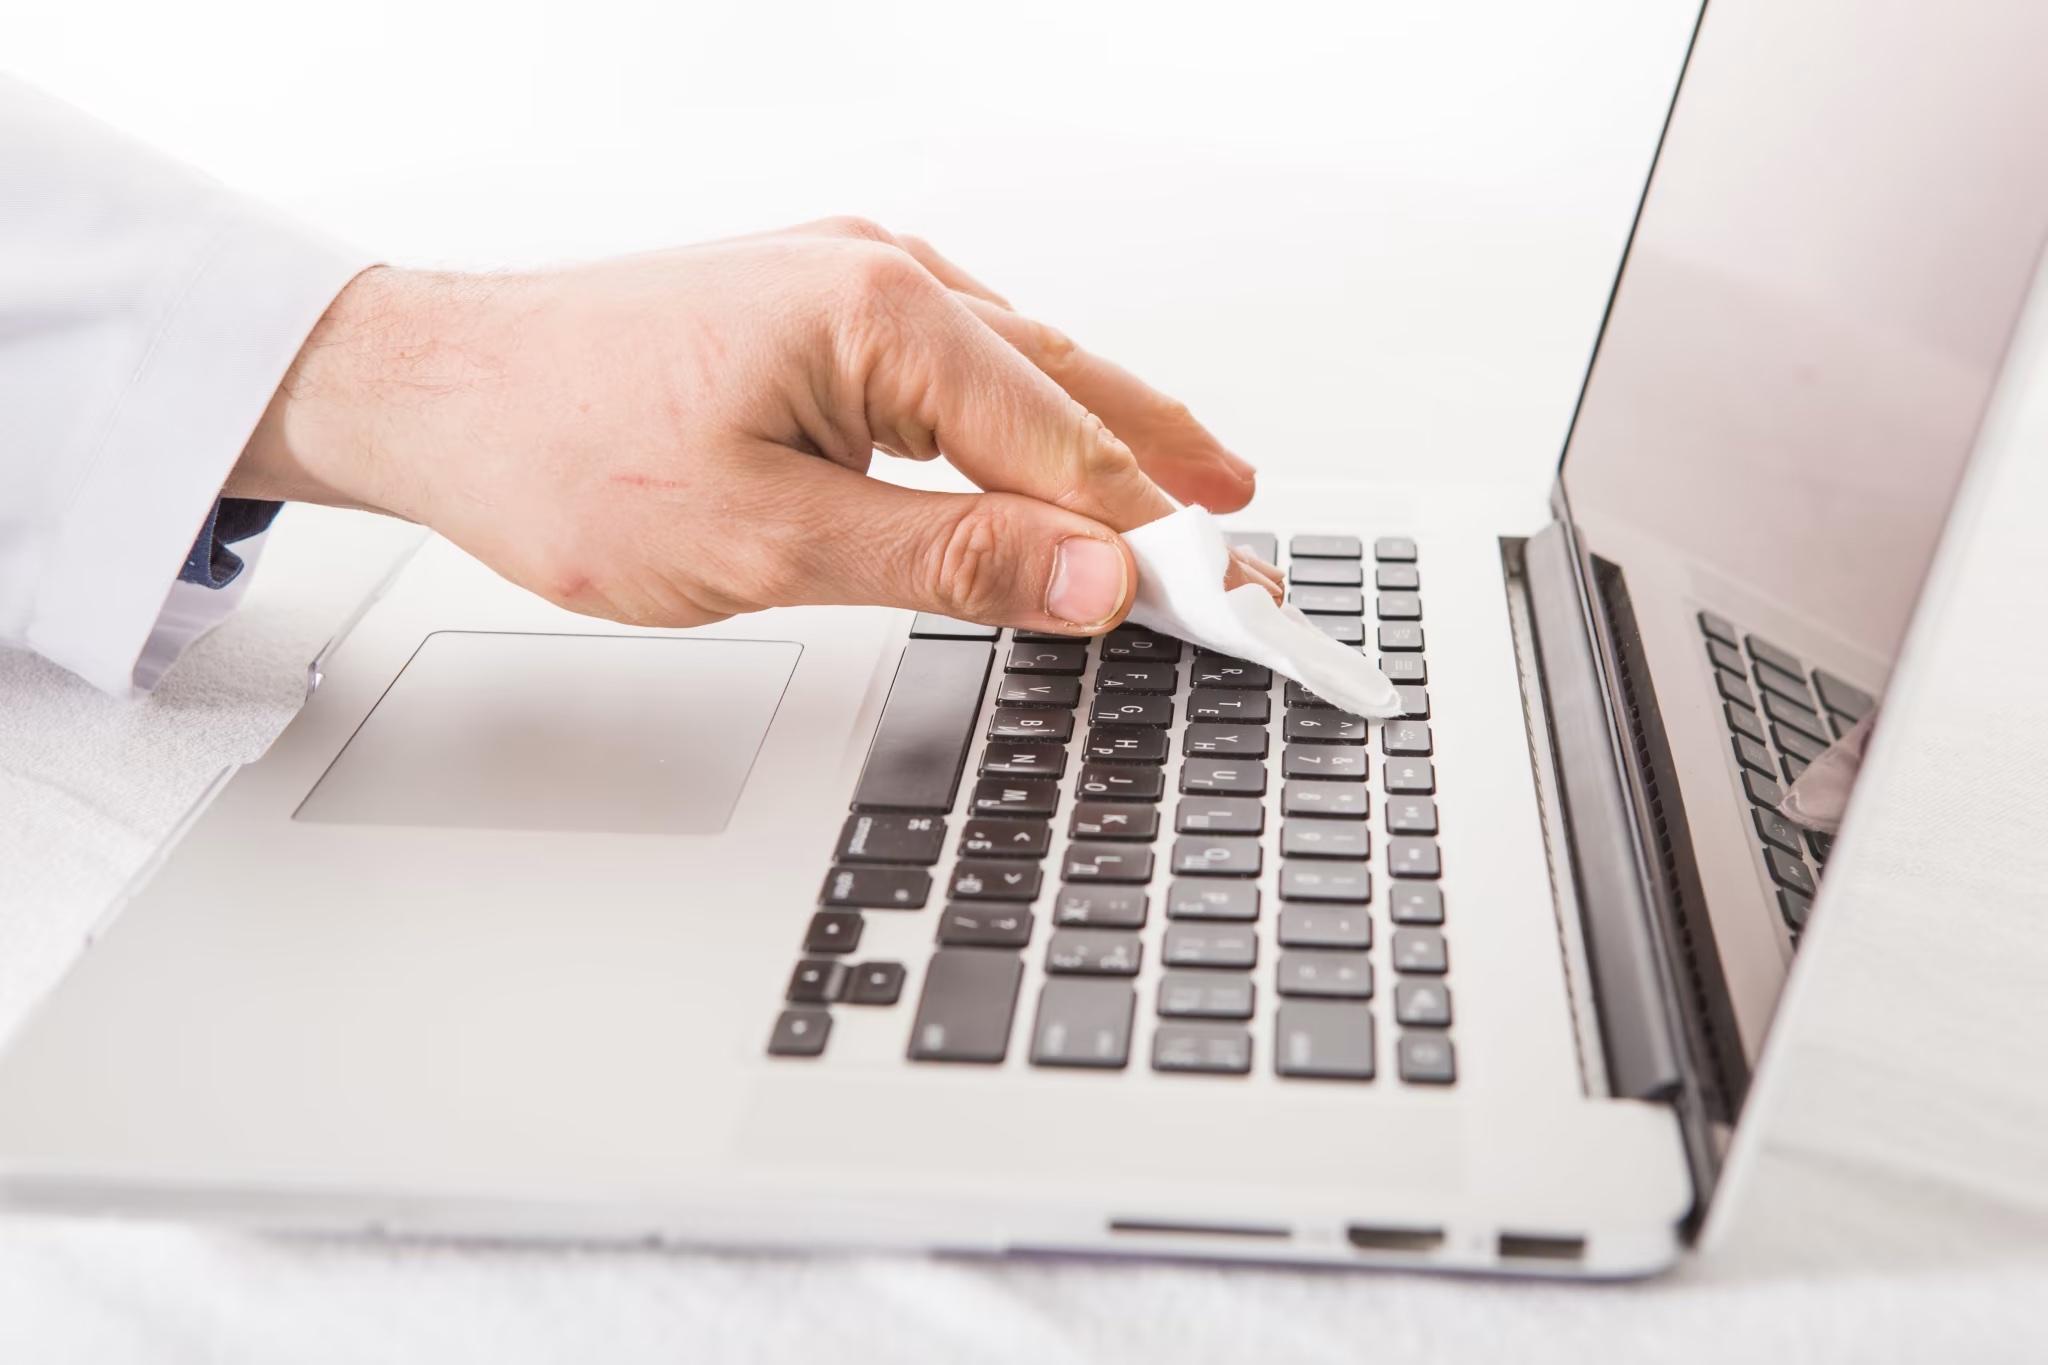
x=1607, y=863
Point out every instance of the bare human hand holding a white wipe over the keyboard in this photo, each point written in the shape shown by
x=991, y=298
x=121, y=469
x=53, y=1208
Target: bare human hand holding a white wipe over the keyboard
x=681, y=437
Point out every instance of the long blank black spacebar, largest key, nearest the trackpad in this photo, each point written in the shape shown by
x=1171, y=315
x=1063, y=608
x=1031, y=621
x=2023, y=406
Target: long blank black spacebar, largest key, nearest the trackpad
x=927, y=725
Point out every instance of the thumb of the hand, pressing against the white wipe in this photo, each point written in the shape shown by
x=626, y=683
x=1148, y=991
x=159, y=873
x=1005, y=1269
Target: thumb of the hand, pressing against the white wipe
x=1000, y=560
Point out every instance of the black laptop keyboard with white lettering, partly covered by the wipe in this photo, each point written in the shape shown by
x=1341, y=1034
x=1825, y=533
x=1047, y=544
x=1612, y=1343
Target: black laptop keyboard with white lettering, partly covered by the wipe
x=1183, y=842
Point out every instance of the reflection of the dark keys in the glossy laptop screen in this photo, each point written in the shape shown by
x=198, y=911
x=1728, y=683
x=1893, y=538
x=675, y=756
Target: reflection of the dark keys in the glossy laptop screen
x=1781, y=717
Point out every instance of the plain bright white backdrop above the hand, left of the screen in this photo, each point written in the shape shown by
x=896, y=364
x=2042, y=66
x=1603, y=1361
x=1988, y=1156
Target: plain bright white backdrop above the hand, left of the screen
x=1355, y=236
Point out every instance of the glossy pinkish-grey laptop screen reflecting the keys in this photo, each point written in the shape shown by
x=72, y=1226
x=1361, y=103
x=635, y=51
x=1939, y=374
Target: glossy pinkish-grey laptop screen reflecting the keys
x=1830, y=259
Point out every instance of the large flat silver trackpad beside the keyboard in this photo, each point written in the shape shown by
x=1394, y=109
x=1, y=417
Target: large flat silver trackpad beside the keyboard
x=595, y=734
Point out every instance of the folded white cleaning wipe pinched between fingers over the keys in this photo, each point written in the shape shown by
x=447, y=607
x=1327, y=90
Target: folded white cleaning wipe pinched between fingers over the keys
x=1183, y=560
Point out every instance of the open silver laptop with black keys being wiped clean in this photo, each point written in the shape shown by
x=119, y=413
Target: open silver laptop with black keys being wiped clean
x=847, y=928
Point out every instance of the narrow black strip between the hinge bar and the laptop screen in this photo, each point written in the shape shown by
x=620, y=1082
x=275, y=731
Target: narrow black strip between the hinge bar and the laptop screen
x=1711, y=1014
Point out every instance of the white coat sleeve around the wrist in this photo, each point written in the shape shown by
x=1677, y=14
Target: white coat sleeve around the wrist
x=146, y=318
